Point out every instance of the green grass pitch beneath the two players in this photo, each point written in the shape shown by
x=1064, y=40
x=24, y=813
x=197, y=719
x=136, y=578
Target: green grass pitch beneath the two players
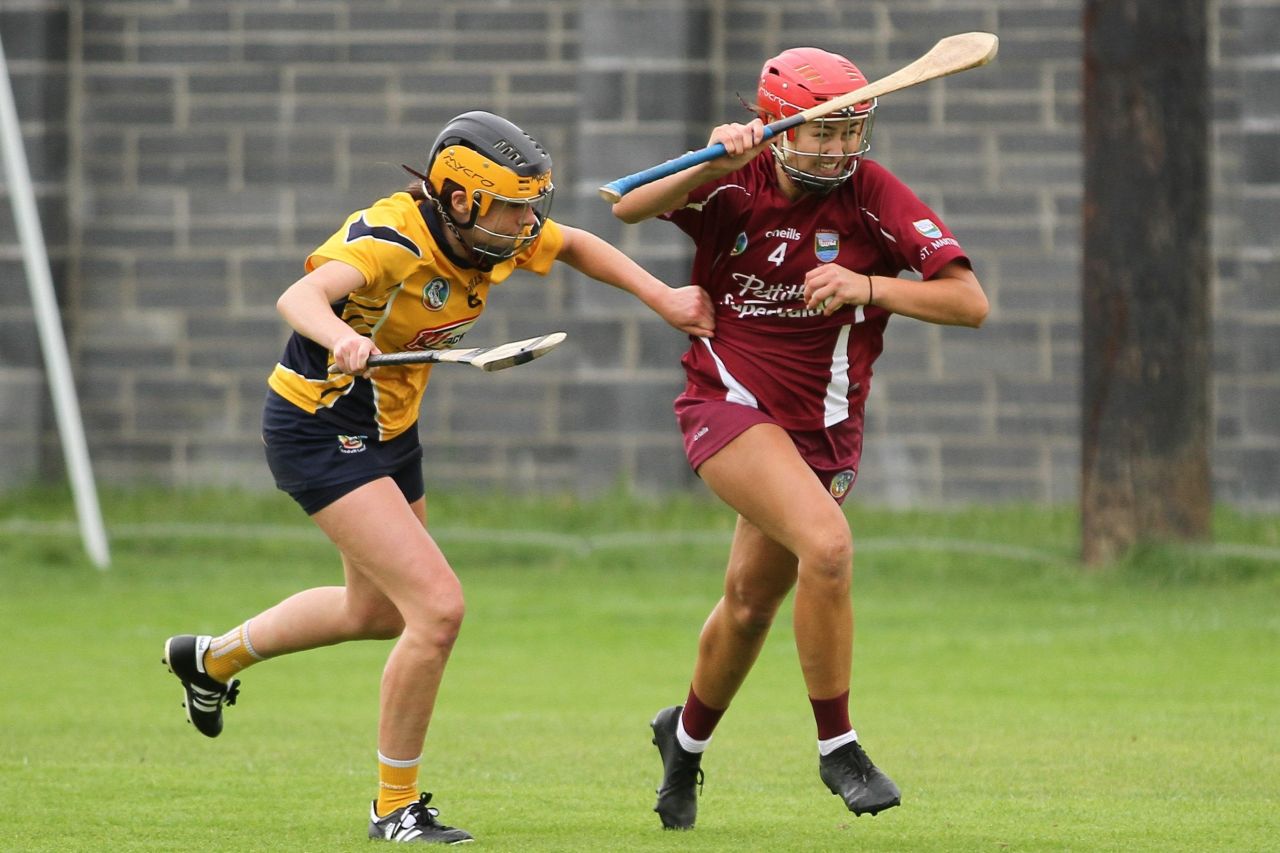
x=1020, y=703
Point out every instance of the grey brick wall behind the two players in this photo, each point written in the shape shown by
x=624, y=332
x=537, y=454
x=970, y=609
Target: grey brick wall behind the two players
x=189, y=156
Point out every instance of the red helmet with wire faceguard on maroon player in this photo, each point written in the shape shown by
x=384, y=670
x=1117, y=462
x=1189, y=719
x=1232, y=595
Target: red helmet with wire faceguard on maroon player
x=804, y=77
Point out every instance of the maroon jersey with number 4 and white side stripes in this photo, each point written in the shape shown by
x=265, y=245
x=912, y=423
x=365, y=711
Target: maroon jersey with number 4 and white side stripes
x=753, y=250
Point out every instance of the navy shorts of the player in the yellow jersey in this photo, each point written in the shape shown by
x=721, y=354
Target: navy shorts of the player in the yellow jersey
x=317, y=464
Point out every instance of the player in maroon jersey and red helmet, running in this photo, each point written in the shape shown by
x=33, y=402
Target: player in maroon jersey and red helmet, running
x=801, y=244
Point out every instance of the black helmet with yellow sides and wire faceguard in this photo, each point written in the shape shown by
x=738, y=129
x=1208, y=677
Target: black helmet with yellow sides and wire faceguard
x=492, y=161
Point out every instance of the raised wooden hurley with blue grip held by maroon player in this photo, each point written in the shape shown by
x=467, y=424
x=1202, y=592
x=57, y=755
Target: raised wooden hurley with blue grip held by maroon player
x=949, y=57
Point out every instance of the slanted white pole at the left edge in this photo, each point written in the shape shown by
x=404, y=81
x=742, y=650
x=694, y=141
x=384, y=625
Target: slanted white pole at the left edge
x=53, y=344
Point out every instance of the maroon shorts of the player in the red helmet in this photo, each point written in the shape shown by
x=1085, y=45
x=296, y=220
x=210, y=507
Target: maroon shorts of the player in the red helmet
x=833, y=454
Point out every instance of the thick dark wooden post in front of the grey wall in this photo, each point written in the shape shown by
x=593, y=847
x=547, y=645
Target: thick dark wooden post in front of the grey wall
x=1146, y=326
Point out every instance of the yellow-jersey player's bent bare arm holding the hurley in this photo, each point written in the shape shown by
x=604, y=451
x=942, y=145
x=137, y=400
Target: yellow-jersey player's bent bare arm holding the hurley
x=308, y=307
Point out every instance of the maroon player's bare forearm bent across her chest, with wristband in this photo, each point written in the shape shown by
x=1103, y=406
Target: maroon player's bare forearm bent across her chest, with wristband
x=952, y=298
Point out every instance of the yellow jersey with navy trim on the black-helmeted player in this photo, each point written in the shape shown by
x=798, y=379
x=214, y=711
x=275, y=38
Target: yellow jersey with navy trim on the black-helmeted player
x=418, y=295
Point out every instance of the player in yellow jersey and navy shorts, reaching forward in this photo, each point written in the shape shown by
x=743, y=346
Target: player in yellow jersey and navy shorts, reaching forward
x=412, y=272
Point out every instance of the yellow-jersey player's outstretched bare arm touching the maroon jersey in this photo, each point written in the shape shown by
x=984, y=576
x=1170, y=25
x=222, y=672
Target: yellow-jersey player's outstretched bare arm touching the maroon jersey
x=688, y=309
